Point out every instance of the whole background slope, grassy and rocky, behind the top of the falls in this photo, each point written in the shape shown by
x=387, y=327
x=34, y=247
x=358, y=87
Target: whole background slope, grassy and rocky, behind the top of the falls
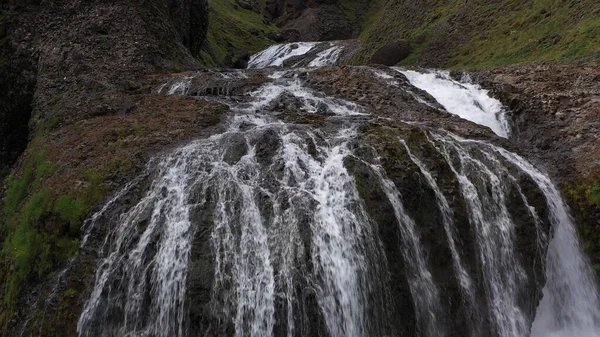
x=455, y=33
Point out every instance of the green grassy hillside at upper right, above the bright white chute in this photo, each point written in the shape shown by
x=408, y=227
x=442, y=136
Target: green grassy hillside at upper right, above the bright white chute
x=485, y=33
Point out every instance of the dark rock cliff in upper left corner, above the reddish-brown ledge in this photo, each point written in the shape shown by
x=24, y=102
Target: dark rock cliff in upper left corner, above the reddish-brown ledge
x=75, y=52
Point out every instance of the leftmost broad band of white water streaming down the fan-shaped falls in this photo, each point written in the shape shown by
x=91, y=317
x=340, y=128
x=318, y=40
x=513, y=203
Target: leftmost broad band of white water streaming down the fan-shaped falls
x=152, y=300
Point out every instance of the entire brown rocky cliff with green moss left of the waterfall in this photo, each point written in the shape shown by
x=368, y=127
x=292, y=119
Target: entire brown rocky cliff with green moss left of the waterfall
x=75, y=86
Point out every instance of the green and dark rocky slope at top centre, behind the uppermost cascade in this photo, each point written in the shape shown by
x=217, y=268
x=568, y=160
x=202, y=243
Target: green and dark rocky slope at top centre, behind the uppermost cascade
x=242, y=27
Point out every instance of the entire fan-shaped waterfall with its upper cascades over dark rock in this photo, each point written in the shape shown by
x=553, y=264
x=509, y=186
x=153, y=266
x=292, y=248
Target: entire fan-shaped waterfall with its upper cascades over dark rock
x=266, y=229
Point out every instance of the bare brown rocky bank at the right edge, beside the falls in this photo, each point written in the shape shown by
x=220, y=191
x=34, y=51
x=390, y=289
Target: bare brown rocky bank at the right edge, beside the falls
x=555, y=114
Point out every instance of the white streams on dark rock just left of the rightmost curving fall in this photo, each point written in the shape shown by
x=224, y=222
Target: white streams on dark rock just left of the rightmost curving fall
x=495, y=231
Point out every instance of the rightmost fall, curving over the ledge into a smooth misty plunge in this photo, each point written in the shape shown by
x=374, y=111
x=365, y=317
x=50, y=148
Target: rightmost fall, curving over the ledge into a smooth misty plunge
x=570, y=305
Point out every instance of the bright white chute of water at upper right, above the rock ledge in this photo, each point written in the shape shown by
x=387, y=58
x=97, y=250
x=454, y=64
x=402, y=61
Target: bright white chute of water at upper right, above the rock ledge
x=467, y=100
